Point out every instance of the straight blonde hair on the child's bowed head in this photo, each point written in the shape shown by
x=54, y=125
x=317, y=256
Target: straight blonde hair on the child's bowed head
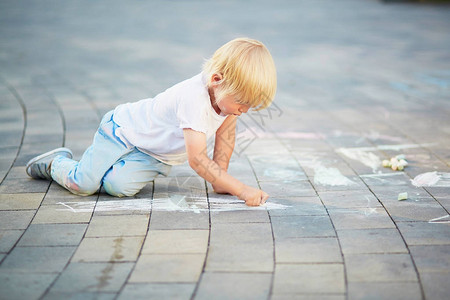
x=248, y=72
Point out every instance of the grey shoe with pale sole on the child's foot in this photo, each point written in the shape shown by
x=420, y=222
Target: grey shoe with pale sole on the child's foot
x=39, y=167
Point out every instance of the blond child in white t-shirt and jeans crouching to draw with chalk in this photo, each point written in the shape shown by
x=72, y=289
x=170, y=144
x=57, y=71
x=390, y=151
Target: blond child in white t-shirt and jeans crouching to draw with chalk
x=137, y=141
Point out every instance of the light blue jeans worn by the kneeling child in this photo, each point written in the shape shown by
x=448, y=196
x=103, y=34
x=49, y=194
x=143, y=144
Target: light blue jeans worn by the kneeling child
x=122, y=170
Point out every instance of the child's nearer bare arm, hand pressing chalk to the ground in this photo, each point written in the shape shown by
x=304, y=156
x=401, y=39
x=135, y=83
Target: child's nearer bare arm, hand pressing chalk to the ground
x=213, y=173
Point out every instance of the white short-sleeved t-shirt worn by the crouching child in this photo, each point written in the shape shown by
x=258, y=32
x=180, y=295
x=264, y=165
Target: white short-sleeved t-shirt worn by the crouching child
x=155, y=125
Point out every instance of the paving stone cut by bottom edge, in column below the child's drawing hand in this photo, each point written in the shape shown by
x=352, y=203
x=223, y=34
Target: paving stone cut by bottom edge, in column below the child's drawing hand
x=234, y=286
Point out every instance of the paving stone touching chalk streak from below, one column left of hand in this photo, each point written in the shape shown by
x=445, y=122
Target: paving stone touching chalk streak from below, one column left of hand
x=179, y=220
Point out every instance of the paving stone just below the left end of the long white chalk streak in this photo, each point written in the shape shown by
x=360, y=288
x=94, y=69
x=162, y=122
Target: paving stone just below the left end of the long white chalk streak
x=59, y=214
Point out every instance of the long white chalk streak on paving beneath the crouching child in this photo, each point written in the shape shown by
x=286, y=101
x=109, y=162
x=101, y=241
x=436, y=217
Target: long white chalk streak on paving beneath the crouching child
x=174, y=203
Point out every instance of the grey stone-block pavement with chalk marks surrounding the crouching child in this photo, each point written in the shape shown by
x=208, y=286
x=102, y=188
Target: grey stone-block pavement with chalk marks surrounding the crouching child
x=359, y=82
